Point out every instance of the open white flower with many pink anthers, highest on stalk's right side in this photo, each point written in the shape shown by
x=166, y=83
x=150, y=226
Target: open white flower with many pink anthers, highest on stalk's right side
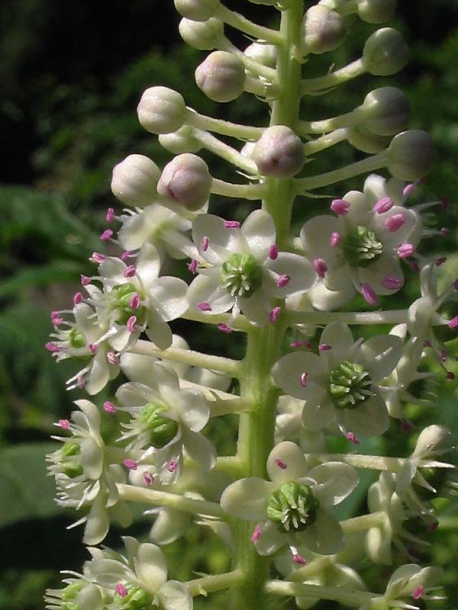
x=358, y=250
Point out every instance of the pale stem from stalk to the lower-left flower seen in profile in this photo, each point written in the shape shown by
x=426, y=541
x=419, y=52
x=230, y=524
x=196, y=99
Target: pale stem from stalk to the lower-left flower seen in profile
x=152, y=497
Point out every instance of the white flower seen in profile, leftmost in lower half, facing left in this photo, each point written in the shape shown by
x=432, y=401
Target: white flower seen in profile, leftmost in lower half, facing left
x=84, y=477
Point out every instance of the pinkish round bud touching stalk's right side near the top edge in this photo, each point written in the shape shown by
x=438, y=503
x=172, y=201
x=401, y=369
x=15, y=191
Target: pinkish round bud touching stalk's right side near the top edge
x=322, y=30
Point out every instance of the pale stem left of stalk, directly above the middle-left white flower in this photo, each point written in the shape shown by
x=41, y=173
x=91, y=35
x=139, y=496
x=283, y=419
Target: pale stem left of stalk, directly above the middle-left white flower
x=191, y=357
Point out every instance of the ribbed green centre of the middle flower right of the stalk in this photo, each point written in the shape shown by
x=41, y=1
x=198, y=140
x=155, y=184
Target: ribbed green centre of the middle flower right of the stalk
x=349, y=385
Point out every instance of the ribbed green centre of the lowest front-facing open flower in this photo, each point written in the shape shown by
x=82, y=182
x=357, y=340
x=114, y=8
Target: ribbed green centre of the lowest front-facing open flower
x=293, y=507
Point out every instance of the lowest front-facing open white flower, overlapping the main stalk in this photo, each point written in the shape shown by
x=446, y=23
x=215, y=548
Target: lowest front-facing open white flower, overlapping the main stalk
x=293, y=508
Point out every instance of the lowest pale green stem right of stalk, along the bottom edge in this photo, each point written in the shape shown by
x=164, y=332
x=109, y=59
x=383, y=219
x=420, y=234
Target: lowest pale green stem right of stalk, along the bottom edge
x=338, y=594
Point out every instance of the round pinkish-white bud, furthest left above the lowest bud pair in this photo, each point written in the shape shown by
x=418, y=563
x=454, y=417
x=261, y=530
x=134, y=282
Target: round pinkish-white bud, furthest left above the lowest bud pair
x=161, y=110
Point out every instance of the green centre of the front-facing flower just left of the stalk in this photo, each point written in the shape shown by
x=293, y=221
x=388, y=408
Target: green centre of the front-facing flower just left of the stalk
x=241, y=275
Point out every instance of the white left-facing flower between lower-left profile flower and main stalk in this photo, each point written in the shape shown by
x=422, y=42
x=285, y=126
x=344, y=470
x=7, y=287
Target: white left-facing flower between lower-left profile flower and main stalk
x=165, y=419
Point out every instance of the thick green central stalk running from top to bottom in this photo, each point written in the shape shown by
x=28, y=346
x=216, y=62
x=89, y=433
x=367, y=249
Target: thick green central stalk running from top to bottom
x=256, y=429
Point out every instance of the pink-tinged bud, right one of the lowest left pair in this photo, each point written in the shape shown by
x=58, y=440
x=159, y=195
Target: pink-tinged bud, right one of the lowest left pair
x=186, y=181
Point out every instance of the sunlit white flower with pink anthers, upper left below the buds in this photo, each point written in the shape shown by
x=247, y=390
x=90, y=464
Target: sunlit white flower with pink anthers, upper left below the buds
x=134, y=299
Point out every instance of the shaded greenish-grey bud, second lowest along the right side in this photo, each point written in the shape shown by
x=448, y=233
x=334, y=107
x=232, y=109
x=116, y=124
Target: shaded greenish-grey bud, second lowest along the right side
x=386, y=111
